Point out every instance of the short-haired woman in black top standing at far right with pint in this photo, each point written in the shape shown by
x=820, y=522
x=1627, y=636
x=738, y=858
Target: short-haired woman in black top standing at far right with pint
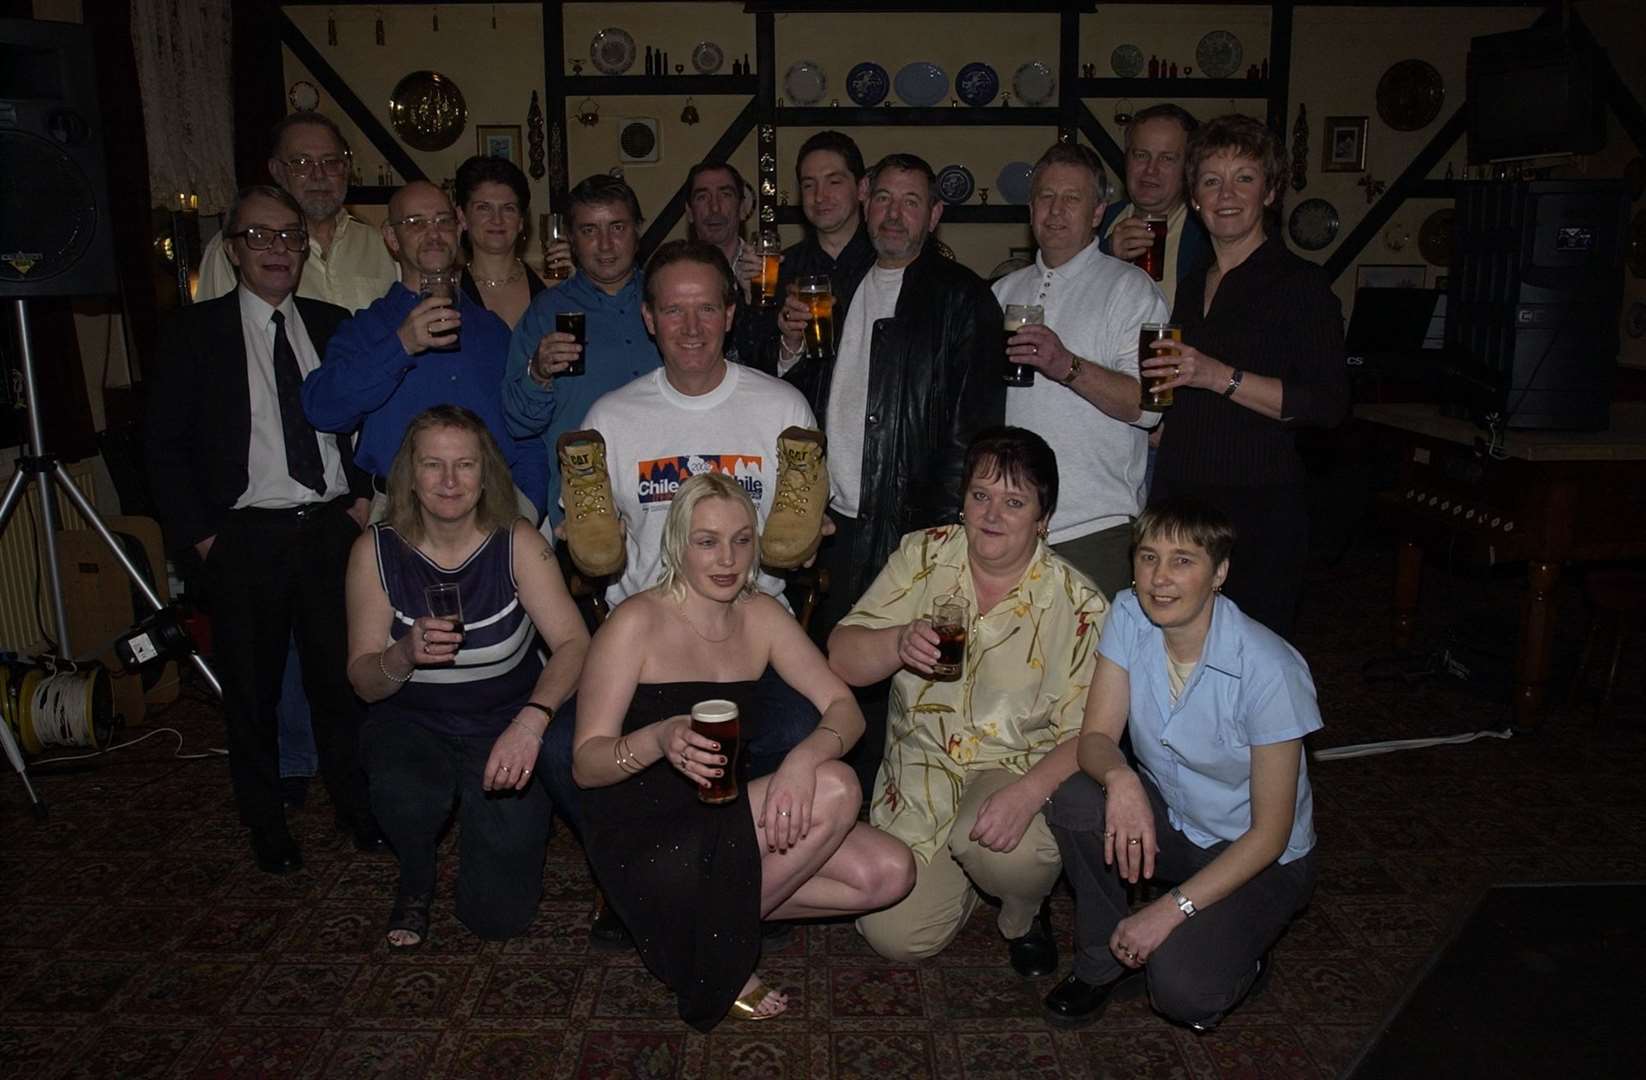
x=1262, y=355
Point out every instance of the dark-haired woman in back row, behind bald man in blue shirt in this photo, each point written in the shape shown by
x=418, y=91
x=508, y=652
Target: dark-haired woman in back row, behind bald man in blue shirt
x=495, y=207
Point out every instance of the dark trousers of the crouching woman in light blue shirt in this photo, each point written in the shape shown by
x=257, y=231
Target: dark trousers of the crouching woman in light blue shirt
x=1209, y=964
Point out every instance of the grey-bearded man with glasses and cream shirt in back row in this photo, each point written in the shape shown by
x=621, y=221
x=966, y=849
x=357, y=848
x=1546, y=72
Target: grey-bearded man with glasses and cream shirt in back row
x=346, y=264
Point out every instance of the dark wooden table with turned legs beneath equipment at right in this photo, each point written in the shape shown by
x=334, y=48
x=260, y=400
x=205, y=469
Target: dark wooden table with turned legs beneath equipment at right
x=1541, y=498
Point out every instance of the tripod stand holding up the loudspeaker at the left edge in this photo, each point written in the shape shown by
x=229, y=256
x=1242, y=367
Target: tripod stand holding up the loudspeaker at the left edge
x=44, y=468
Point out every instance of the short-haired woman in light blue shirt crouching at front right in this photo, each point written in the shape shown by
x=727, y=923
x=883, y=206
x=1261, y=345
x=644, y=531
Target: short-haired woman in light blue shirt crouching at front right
x=1217, y=798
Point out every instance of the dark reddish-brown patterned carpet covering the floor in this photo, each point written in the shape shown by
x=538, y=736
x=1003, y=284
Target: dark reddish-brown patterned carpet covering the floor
x=139, y=941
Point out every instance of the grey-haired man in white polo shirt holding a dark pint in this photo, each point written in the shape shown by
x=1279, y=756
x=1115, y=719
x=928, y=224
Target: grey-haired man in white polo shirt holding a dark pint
x=1086, y=396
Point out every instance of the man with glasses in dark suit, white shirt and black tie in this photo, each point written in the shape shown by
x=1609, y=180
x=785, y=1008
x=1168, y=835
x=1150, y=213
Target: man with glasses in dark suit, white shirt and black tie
x=267, y=508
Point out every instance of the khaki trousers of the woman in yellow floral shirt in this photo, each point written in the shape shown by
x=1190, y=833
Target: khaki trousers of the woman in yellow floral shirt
x=947, y=888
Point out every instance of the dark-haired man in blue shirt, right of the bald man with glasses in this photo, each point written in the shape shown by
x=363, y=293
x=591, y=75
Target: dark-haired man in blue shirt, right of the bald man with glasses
x=539, y=398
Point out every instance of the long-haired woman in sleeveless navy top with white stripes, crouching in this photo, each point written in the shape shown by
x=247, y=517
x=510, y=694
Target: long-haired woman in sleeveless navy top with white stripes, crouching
x=458, y=707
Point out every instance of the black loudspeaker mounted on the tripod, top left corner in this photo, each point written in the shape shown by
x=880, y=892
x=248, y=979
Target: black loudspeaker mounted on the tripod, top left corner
x=55, y=231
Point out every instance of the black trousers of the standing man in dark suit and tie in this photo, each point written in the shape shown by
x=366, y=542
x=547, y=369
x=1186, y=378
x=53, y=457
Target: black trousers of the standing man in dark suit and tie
x=276, y=577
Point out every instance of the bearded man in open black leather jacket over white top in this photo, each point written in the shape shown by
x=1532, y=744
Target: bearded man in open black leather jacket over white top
x=918, y=373
